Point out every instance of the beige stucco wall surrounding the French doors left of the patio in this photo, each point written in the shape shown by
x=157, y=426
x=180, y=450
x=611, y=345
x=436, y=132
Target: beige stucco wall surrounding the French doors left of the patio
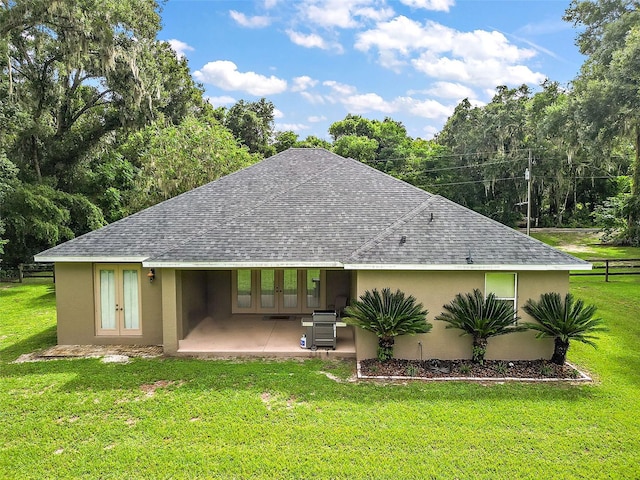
x=76, y=308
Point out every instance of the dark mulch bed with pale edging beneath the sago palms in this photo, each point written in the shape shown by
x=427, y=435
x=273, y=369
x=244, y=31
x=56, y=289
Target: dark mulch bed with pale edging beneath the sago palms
x=494, y=369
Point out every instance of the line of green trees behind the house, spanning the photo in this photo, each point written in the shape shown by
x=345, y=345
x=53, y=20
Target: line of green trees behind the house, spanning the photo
x=99, y=119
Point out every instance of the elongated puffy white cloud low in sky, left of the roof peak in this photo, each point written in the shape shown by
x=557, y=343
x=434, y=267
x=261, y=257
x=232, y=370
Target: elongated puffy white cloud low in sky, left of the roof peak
x=224, y=74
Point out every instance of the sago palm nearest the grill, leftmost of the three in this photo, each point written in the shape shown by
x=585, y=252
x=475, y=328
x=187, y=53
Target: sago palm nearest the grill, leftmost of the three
x=387, y=315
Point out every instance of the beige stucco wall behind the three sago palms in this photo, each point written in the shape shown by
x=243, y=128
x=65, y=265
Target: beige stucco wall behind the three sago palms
x=433, y=290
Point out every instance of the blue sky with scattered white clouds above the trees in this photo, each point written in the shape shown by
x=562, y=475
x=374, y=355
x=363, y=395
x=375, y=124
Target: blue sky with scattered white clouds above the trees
x=411, y=60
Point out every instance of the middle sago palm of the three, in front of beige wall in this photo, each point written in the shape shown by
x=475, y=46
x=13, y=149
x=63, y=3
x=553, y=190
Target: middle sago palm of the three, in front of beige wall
x=480, y=317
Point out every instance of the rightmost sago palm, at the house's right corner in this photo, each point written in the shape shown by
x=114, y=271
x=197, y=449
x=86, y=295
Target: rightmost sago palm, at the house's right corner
x=563, y=320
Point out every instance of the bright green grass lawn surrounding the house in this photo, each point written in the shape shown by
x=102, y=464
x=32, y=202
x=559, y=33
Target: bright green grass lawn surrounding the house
x=180, y=418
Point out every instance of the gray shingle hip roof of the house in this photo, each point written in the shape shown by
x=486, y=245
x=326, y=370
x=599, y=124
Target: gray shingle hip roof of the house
x=310, y=206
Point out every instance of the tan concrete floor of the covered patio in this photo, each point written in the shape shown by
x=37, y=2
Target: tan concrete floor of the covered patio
x=254, y=336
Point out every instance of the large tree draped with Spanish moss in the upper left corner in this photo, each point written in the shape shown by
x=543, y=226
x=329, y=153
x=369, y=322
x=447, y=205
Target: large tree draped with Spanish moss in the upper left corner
x=74, y=71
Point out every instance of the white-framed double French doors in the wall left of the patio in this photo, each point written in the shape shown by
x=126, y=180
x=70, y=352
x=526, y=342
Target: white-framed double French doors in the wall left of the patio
x=117, y=299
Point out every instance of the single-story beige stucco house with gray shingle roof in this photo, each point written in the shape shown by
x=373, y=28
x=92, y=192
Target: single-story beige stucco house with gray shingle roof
x=235, y=265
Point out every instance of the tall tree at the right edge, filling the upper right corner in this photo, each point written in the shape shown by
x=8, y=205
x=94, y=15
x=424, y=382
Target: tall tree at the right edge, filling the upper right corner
x=607, y=86
